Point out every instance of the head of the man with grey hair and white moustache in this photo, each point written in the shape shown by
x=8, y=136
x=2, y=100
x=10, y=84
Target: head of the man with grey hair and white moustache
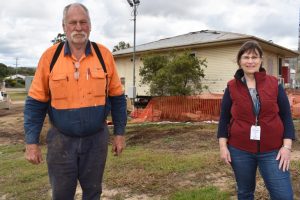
x=77, y=26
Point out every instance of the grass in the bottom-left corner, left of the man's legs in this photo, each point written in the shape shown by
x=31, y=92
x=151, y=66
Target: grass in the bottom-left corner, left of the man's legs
x=20, y=179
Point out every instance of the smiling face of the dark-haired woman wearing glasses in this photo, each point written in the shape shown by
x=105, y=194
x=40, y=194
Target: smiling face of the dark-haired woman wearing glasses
x=250, y=62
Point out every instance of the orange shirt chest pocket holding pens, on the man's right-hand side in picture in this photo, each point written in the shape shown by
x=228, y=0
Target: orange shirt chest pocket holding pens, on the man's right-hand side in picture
x=98, y=79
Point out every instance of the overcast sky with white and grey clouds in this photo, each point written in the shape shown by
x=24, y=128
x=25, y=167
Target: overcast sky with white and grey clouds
x=28, y=26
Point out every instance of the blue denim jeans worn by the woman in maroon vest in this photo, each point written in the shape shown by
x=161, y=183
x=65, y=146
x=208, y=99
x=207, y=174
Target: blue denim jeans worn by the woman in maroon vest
x=244, y=165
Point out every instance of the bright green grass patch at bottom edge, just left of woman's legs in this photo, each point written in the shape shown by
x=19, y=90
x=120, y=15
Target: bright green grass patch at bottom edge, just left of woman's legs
x=206, y=193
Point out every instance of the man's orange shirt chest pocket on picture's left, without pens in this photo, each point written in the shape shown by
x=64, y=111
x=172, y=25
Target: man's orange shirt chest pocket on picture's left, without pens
x=58, y=86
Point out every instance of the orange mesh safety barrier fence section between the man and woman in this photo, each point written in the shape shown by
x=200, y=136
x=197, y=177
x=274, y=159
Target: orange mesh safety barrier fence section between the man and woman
x=180, y=108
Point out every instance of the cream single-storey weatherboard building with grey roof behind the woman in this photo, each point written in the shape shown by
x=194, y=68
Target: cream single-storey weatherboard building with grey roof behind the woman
x=217, y=47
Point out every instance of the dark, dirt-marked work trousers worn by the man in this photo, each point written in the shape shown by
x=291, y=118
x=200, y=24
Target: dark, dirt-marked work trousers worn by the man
x=72, y=159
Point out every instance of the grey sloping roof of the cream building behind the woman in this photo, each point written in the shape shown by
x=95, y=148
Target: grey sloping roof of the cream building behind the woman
x=193, y=38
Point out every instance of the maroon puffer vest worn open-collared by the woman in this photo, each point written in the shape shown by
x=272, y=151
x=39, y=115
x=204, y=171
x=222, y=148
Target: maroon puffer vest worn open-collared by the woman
x=243, y=116
